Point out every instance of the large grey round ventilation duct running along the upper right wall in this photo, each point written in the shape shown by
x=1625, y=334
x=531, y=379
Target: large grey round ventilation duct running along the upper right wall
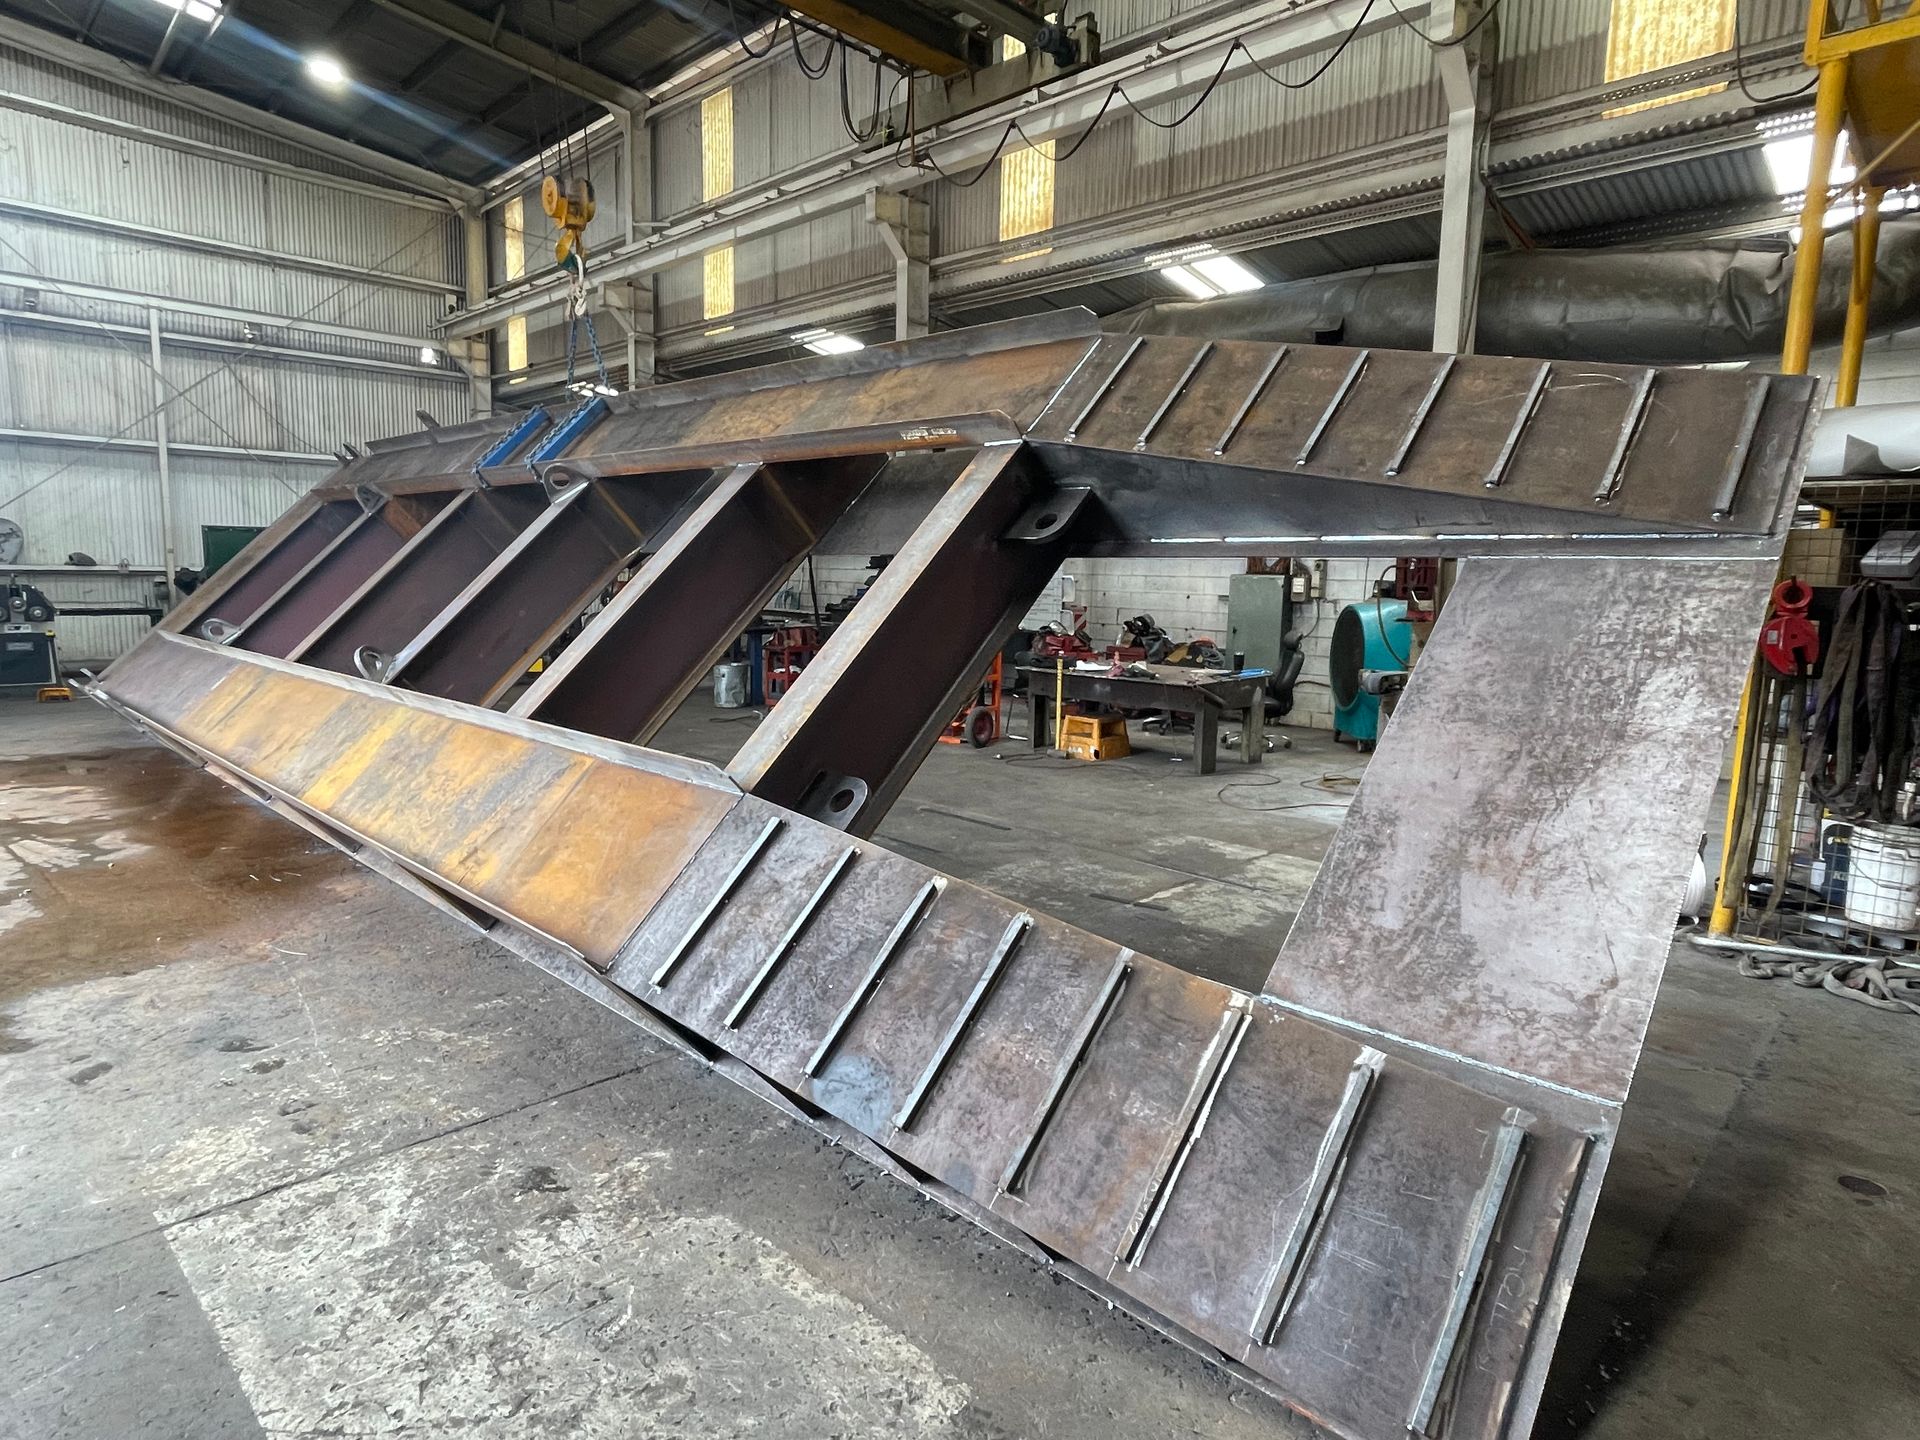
x=1716, y=302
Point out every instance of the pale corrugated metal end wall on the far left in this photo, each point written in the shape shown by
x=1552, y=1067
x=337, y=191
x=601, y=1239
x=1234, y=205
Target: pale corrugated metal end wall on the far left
x=91, y=377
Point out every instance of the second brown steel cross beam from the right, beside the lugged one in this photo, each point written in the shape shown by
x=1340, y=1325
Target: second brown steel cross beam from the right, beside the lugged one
x=694, y=596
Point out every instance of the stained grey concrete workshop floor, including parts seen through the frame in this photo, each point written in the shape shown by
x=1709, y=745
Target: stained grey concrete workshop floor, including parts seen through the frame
x=289, y=1153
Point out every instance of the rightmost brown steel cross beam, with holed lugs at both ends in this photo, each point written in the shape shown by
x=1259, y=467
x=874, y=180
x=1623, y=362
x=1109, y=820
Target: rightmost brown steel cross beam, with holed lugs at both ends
x=863, y=717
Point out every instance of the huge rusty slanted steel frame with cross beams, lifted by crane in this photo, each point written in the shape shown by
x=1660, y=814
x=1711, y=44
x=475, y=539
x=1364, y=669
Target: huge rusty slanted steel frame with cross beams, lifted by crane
x=1364, y=1191
